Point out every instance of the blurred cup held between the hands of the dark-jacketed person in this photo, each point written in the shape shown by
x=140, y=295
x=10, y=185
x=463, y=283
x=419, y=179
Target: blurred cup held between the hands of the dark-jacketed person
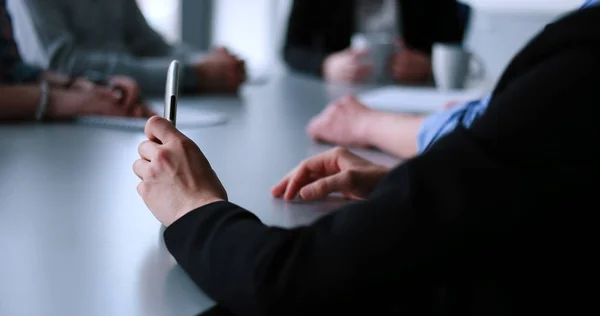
x=380, y=48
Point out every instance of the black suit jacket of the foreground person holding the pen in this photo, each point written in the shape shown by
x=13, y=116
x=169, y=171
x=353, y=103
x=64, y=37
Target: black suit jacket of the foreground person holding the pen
x=494, y=220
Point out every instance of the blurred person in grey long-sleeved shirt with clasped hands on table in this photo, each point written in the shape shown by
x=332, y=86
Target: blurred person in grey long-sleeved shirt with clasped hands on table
x=112, y=37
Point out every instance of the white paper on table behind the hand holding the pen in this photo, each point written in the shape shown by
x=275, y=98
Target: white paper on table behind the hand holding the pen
x=187, y=117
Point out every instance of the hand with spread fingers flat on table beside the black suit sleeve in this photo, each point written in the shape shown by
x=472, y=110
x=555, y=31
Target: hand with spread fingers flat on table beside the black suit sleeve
x=334, y=171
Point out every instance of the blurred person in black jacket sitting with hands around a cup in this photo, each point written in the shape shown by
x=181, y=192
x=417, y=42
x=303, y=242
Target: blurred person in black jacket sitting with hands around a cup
x=319, y=33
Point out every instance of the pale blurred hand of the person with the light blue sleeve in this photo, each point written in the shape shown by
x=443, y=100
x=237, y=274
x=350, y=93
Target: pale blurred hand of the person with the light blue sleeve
x=342, y=122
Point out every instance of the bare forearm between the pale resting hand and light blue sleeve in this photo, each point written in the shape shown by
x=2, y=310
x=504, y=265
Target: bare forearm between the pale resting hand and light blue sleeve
x=393, y=132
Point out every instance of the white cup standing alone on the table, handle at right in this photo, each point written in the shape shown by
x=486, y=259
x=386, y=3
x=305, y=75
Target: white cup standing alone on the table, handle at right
x=452, y=66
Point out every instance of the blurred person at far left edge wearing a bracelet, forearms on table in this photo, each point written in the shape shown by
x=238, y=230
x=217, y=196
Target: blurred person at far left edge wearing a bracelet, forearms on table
x=28, y=92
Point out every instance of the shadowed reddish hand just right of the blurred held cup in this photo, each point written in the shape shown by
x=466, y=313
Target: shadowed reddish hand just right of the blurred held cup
x=409, y=65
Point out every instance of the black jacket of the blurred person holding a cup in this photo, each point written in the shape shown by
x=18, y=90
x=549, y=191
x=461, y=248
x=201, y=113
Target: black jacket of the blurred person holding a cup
x=317, y=28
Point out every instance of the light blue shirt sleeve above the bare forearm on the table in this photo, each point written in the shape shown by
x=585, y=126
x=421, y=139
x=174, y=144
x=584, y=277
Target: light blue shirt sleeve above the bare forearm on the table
x=439, y=124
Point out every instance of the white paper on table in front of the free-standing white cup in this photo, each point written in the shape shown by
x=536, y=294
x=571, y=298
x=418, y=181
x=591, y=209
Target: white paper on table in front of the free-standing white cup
x=414, y=100
